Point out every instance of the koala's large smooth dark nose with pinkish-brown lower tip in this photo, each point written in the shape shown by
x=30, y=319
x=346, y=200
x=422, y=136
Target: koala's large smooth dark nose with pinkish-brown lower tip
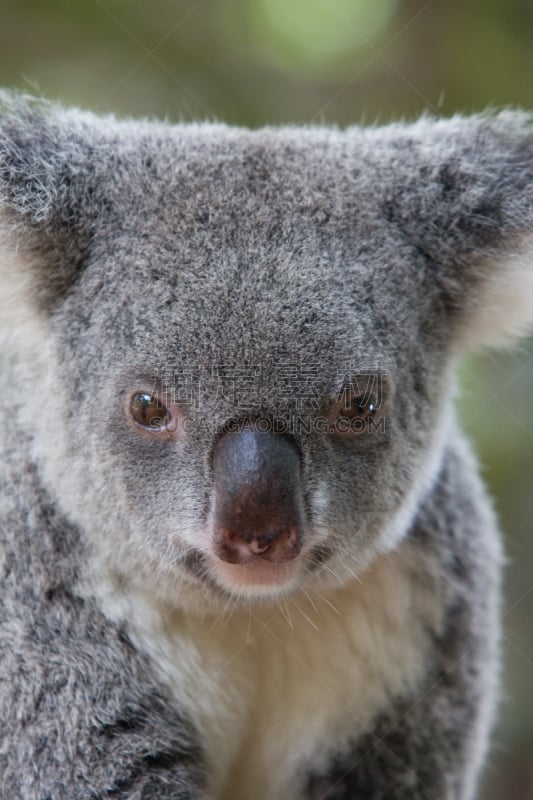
x=258, y=510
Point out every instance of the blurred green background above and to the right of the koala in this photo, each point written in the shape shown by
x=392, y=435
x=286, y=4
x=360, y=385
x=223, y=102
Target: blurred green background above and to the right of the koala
x=342, y=61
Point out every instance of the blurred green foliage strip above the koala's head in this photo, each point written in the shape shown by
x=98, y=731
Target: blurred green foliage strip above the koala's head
x=257, y=61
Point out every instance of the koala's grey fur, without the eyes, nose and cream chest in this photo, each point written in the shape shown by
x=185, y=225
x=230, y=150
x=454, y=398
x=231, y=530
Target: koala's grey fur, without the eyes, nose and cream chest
x=150, y=250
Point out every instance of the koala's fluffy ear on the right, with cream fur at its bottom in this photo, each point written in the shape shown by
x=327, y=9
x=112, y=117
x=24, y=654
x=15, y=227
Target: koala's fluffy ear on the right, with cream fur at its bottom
x=464, y=198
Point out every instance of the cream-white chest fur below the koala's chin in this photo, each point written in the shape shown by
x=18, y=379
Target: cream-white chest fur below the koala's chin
x=275, y=689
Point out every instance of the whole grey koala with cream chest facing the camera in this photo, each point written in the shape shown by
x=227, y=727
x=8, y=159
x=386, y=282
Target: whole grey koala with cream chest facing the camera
x=245, y=551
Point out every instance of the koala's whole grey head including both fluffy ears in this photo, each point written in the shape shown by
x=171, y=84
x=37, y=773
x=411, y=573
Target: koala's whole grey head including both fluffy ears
x=237, y=344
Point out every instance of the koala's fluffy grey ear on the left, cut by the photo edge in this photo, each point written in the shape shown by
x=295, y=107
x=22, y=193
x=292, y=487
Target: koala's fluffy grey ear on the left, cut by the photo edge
x=46, y=181
